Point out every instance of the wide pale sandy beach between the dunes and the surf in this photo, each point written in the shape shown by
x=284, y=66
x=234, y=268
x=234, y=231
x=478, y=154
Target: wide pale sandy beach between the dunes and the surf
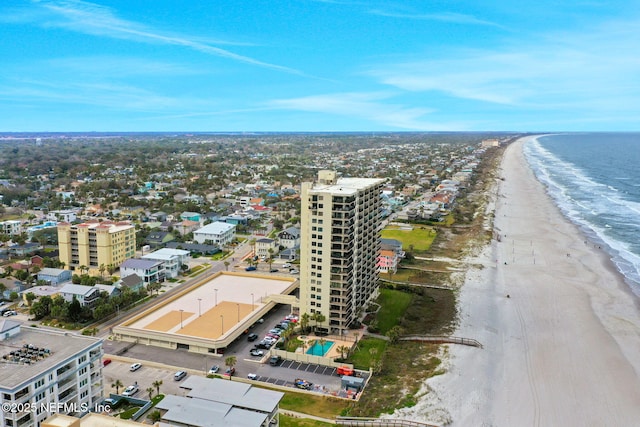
x=560, y=329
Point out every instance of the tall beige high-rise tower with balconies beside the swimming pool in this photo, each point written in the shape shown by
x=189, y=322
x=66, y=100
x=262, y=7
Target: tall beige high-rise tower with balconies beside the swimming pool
x=340, y=242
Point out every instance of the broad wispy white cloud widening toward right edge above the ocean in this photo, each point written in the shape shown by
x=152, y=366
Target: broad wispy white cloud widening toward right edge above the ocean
x=594, y=70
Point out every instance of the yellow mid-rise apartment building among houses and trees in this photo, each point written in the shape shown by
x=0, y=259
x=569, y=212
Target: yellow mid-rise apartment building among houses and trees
x=96, y=243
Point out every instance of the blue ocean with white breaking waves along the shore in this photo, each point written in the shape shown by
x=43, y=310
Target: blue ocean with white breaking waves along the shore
x=594, y=178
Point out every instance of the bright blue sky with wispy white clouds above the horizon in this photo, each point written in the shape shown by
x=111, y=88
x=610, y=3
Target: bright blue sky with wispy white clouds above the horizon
x=319, y=65
